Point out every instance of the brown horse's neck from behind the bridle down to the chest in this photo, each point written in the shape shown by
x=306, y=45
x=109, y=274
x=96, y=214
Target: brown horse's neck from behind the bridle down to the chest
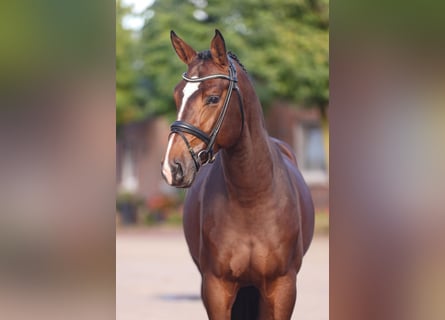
x=248, y=165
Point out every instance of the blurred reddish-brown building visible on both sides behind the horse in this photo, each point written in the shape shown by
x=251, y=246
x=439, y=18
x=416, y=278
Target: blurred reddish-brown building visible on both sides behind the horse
x=141, y=146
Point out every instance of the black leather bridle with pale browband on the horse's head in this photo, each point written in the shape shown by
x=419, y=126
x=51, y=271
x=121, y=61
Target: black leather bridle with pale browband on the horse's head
x=180, y=127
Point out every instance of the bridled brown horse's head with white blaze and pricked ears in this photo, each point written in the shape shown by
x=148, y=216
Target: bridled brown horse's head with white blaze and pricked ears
x=207, y=116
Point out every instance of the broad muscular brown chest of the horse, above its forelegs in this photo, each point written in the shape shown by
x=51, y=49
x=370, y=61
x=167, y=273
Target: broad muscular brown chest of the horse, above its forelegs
x=248, y=244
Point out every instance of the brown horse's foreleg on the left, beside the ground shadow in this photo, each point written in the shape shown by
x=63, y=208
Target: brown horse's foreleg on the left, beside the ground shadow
x=218, y=296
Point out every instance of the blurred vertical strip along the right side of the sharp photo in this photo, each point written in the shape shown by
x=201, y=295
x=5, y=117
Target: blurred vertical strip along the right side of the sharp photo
x=387, y=160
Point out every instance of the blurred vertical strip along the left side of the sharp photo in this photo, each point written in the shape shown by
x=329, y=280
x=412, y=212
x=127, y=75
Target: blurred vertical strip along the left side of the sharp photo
x=57, y=160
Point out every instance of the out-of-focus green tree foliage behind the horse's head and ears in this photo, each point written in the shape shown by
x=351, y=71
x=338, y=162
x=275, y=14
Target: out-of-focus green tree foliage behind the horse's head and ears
x=282, y=43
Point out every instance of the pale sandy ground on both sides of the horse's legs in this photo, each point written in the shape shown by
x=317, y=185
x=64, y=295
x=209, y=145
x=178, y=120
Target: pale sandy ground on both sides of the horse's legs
x=157, y=280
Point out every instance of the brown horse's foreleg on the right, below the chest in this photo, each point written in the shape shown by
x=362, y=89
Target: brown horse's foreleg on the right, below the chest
x=278, y=298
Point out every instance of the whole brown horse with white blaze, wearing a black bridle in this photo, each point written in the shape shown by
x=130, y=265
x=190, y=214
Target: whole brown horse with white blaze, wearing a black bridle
x=248, y=216
